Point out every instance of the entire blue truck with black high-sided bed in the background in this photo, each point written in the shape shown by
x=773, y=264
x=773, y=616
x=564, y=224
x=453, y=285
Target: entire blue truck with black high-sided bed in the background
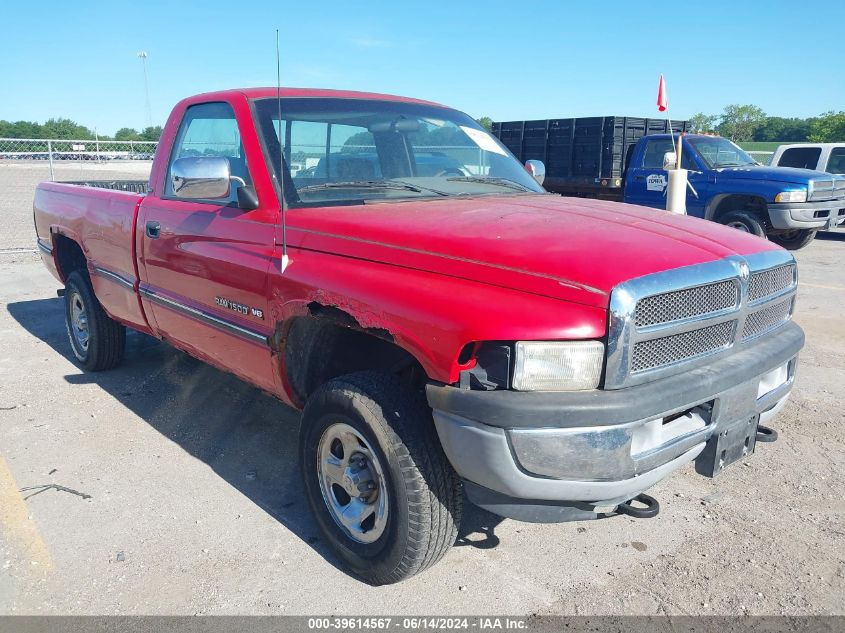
x=618, y=158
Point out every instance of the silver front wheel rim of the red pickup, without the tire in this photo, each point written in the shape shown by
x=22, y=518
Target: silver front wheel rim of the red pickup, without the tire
x=352, y=483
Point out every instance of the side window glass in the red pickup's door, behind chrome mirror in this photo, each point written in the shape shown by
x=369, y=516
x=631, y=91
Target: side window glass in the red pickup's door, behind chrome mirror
x=210, y=129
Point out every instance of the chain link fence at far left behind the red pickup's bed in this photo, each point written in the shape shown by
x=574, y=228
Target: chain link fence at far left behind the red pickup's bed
x=26, y=162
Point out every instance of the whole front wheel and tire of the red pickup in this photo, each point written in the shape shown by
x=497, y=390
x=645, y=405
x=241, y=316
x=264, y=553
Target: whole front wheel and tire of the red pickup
x=371, y=417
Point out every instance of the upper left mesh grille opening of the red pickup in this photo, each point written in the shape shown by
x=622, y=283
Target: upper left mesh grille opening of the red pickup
x=685, y=304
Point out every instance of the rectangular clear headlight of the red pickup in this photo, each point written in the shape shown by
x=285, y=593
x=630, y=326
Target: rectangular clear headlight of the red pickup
x=558, y=366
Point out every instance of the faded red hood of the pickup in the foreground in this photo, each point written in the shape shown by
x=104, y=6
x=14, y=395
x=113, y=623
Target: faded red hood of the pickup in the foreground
x=568, y=248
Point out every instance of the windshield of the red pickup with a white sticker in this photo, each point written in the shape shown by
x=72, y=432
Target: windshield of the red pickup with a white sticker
x=348, y=151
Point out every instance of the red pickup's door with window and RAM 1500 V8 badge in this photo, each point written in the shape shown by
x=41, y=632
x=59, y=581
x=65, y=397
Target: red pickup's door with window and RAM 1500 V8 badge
x=205, y=262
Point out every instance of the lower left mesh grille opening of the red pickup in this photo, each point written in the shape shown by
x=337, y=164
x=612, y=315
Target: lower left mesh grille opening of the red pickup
x=677, y=347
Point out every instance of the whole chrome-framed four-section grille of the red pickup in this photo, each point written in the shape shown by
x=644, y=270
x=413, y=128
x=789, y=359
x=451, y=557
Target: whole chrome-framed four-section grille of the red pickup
x=671, y=321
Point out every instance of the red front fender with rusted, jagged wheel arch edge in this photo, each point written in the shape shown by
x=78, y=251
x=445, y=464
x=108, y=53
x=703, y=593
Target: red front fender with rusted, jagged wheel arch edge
x=431, y=316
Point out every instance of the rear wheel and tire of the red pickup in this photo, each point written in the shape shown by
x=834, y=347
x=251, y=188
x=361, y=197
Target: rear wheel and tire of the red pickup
x=97, y=340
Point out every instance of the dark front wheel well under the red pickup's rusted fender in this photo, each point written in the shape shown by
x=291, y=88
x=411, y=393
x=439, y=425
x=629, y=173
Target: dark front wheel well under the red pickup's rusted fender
x=320, y=347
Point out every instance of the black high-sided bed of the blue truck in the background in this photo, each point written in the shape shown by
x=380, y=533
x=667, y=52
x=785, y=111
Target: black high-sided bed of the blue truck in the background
x=586, y=155
